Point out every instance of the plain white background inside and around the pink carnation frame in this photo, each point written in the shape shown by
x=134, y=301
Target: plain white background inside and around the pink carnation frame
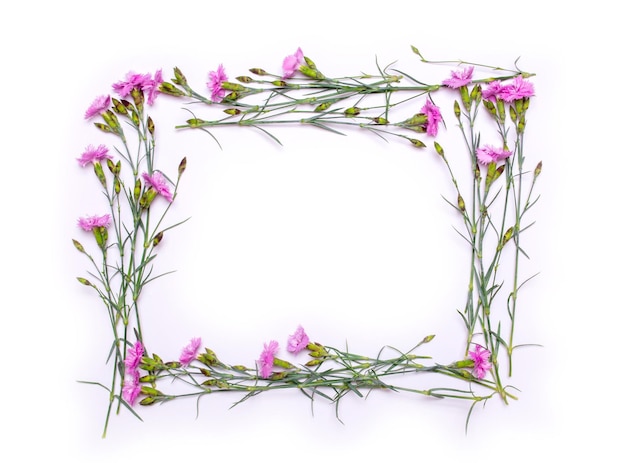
x=365, y=253
